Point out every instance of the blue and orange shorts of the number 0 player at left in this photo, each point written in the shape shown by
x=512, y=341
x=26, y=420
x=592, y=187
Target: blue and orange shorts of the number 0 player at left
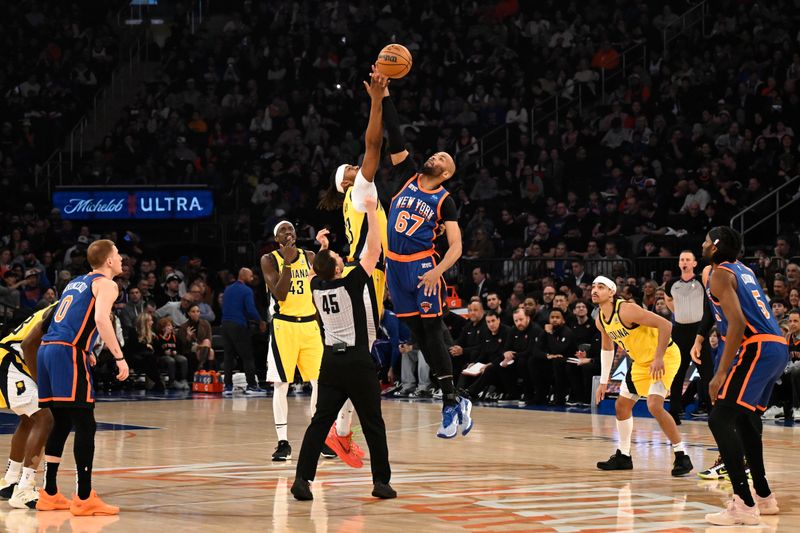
x=64, y=377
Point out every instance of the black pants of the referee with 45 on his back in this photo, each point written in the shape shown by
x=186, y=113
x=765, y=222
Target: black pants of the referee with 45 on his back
x=342, y=375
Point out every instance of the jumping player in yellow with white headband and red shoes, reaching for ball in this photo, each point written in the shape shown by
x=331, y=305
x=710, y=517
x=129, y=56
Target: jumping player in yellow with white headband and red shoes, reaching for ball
x=350, y=186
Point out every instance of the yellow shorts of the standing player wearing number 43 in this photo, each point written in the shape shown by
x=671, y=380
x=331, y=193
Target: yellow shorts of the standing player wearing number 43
x=295, y=342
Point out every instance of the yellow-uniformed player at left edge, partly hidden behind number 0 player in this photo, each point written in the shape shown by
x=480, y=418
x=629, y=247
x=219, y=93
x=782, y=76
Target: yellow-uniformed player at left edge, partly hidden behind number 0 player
x=21, y=395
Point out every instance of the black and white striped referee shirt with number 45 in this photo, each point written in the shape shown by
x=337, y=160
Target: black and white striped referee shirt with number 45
x=348, y=308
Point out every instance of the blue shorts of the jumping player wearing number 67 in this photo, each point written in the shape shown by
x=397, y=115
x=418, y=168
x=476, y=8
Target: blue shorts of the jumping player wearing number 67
x=402, y=278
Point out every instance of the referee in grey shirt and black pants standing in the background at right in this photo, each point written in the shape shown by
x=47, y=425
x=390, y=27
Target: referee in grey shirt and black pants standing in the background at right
x=685, y=297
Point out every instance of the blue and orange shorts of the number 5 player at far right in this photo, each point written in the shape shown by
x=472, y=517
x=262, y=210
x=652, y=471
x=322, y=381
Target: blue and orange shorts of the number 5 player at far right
x=757, y=366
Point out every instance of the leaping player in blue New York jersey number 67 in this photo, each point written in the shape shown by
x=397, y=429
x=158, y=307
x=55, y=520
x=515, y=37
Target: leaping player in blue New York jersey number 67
x=413, y=273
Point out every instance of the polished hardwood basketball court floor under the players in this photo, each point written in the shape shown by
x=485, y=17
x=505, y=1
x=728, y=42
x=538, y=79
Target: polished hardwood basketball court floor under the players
x=203, y=464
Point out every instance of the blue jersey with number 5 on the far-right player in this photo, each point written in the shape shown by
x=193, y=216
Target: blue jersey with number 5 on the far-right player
x=757, y=312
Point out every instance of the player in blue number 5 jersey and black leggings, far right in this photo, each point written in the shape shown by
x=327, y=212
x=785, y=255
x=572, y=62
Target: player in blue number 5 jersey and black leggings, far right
x=754, y=358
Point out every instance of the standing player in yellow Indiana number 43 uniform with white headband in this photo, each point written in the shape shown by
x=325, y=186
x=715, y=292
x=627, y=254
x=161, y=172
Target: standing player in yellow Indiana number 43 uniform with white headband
x=296, y=341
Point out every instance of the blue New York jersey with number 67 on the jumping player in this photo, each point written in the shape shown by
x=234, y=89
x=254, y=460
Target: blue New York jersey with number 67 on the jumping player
x=414, y=217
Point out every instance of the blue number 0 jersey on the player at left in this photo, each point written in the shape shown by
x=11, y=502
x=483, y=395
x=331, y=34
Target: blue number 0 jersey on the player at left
x=73, y=320
